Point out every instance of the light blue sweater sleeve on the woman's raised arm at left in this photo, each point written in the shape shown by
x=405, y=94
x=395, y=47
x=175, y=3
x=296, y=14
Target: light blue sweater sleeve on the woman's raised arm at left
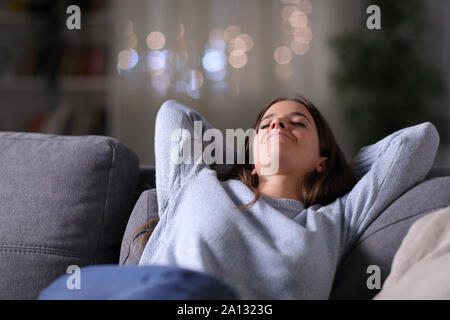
x=178, y=148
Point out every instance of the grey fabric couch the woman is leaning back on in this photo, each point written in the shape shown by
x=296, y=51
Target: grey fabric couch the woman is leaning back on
x=78, y=201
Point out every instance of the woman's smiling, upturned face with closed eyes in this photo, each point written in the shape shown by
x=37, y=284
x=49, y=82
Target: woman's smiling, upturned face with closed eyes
x=297, y=149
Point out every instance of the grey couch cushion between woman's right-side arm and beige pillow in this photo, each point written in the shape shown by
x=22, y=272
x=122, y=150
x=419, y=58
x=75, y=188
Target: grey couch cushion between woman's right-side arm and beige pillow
x=380, y=241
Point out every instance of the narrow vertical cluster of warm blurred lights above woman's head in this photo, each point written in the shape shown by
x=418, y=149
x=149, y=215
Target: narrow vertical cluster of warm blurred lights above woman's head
x=297, y=35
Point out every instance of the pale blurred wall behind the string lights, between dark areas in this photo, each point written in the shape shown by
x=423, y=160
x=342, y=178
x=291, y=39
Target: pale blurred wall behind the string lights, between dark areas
x=246, y=90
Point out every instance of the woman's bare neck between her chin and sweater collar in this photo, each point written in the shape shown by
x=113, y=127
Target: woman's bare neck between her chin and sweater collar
x=280, y=186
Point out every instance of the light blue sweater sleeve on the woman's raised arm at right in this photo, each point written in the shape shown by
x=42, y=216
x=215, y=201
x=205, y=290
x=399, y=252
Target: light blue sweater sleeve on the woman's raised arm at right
x=385, y=171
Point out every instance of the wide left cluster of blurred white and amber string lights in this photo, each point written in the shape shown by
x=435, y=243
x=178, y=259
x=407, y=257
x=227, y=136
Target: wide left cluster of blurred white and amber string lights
x=169, y=68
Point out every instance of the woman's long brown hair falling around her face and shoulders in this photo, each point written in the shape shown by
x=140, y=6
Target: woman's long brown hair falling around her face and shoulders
x=322, y=188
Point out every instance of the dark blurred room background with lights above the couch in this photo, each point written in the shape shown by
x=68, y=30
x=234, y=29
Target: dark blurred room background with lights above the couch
x=226, y=59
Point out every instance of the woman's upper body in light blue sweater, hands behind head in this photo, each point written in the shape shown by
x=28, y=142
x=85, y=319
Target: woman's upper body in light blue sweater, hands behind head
x=278, y=235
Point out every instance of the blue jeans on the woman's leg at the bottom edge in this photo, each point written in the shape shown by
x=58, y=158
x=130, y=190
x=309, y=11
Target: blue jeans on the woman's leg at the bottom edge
x=112, y=282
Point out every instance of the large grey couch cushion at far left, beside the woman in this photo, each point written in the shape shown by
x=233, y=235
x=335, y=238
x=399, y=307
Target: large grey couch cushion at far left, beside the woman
x=63, y=201
